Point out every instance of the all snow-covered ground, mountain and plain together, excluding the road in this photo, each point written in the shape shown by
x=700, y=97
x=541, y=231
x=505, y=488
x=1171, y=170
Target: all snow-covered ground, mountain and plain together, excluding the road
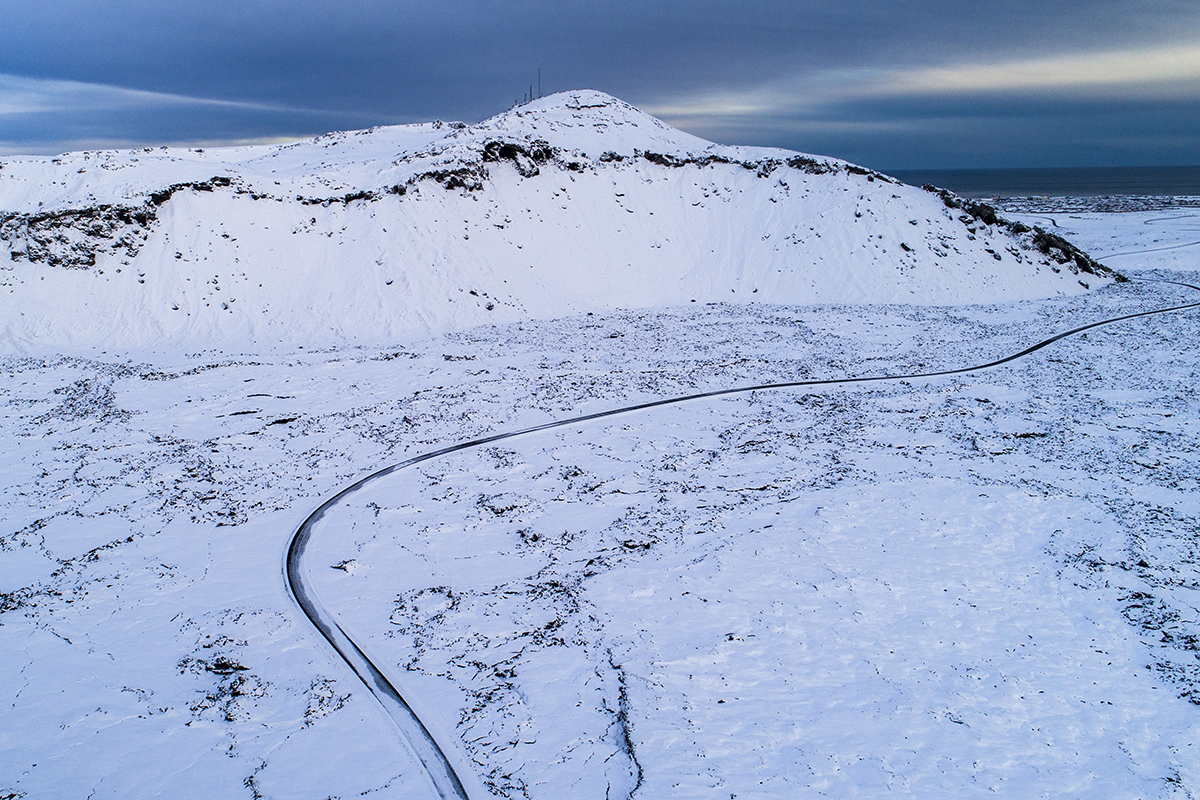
x=981, y=585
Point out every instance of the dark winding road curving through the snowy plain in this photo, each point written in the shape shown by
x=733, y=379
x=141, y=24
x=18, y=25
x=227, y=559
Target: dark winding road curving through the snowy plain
x=442, y=774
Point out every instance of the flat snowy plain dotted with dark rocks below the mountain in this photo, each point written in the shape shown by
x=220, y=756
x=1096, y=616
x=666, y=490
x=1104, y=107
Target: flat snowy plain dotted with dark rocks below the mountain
x=983, y=585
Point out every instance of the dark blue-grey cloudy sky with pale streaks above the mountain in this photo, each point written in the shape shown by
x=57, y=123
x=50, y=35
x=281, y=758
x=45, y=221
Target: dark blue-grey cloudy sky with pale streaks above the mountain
x=886, y=83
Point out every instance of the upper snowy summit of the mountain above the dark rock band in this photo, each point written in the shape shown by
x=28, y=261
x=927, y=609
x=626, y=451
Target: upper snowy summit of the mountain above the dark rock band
x=567, y=127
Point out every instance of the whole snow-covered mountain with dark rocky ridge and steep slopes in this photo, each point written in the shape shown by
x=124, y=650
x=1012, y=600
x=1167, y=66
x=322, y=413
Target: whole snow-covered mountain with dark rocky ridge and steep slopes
x=577, y=202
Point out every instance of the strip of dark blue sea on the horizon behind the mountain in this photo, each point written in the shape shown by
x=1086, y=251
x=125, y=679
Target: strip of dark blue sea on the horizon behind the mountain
x=1067, y=182
